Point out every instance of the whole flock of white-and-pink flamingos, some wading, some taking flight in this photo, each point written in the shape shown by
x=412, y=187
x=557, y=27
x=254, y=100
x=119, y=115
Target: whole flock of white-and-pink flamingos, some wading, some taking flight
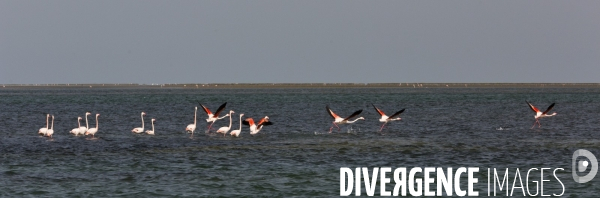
x=254, y=127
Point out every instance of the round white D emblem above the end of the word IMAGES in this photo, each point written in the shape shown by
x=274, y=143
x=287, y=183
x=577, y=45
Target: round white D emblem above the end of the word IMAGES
x=582, y=166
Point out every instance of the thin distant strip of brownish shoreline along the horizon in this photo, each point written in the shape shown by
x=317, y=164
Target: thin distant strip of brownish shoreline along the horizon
x=305, y=85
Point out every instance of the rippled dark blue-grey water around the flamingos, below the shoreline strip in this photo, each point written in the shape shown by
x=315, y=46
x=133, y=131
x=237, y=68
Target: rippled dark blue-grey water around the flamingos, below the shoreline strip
x=456, y=127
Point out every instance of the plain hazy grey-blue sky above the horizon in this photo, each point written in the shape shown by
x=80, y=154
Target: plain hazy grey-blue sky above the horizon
x=299, y=41
